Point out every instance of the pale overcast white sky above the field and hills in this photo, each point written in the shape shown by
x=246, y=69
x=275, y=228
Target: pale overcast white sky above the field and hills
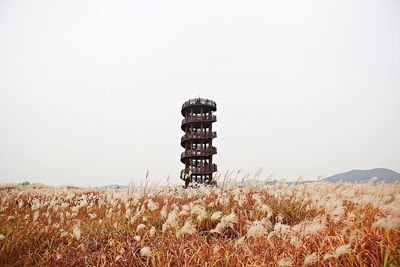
x=91, y=91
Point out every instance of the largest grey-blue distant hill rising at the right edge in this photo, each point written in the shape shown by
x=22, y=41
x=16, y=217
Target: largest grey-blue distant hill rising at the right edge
x=383, y=175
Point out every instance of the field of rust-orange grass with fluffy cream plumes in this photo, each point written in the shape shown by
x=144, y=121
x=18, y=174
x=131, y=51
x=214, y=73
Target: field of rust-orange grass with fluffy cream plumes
x=316, y=224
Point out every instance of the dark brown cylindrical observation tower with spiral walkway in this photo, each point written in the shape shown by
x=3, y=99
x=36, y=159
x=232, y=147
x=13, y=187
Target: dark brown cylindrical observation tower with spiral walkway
x=197, y=141
